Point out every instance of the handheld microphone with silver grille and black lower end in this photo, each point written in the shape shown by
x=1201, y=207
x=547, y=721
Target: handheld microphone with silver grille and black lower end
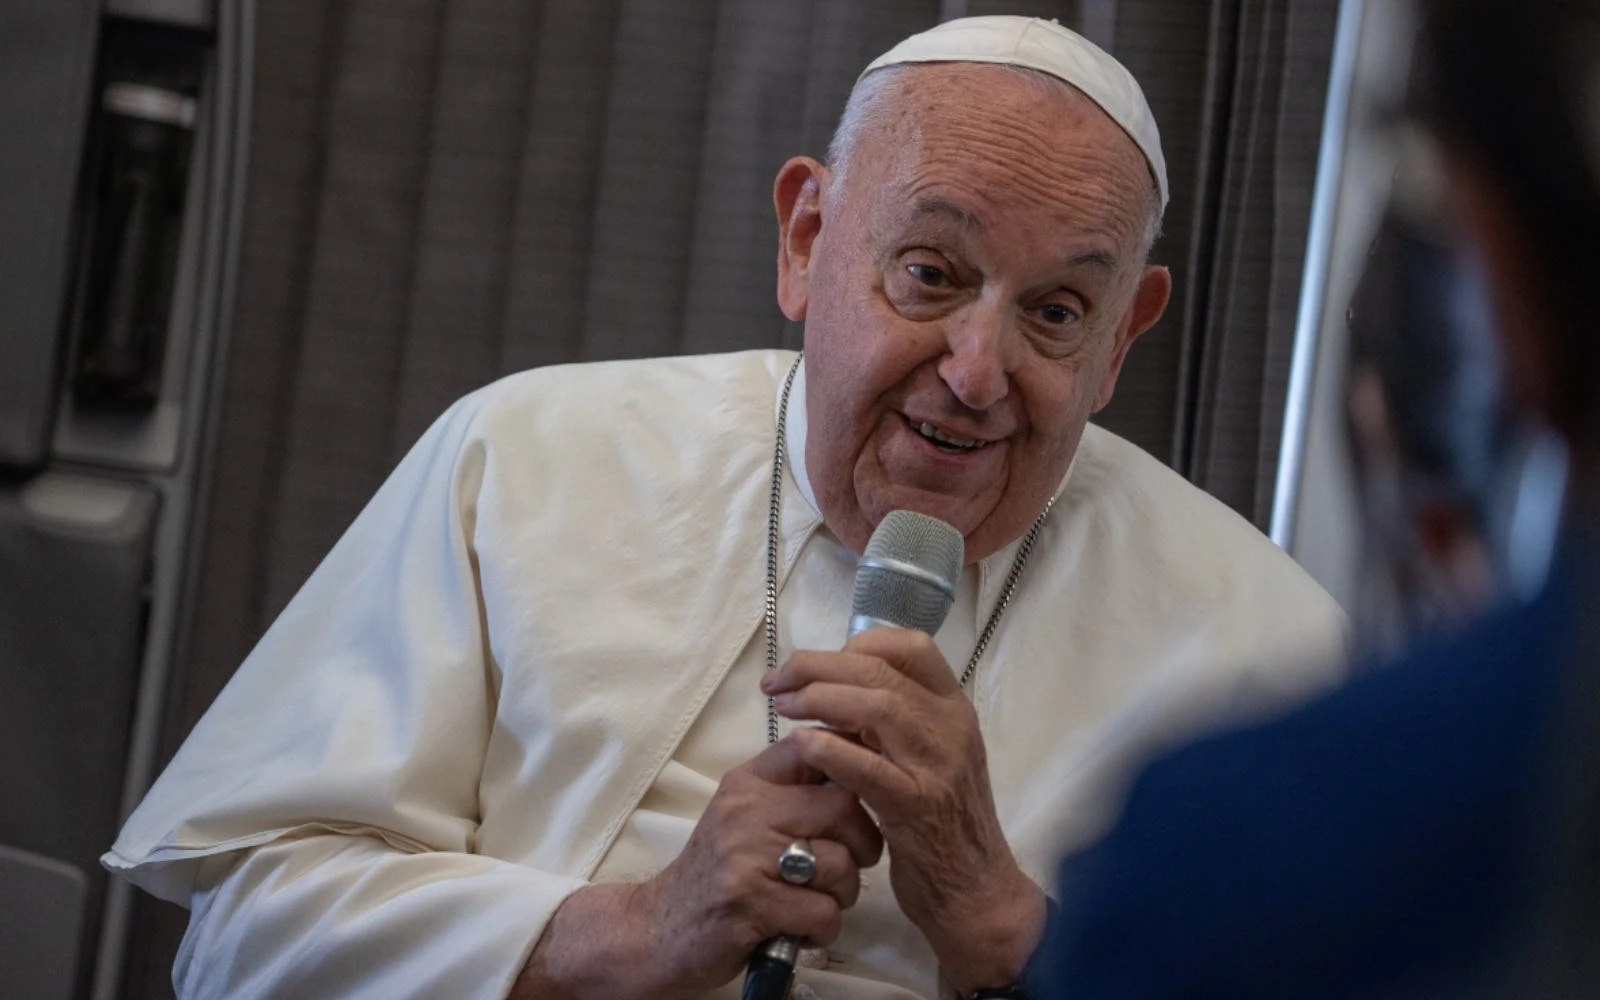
x=906, y=580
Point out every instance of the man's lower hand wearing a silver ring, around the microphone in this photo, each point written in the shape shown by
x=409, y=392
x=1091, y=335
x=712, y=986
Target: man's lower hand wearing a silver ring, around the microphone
x=695, y=926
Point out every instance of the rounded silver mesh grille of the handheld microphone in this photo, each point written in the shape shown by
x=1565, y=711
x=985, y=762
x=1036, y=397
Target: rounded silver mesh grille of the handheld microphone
x=906, y=599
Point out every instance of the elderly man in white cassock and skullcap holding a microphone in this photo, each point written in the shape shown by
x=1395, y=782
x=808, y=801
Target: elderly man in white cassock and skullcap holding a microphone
x=530, y=727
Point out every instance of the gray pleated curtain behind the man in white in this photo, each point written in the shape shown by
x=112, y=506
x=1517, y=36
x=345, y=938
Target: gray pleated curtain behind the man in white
x=447, y=191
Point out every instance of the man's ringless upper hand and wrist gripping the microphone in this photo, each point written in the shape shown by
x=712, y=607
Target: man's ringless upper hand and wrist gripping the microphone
x=908, y=745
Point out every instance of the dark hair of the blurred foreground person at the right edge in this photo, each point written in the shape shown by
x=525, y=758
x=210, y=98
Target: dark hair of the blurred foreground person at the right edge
x=1514, y=87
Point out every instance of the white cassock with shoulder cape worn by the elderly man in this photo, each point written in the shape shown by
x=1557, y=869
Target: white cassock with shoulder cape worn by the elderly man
x=537, y=650
